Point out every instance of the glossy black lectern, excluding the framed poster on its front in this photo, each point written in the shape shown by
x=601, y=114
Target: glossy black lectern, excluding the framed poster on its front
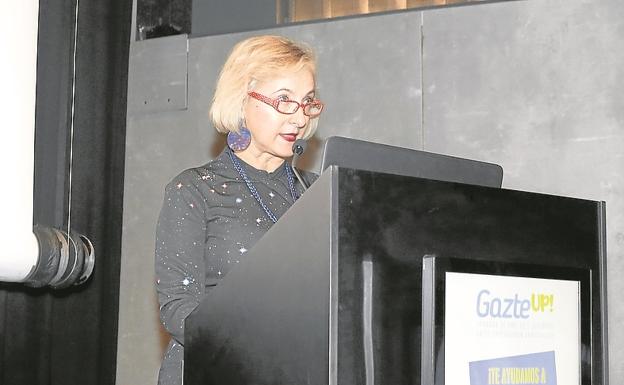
x=332, y=293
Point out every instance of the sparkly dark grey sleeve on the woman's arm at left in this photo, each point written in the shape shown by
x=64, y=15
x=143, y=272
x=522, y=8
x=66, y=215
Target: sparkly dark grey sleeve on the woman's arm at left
x=180, y=240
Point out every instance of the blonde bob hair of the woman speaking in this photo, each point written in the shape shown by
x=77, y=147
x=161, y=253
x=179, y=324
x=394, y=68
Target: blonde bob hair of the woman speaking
x=254, y=60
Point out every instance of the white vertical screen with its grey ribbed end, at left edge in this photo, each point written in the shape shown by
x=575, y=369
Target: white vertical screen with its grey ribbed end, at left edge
x=39, y=256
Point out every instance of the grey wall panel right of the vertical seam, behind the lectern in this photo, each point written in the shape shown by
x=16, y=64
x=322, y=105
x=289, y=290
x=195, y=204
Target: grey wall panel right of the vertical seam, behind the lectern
x=536, y=86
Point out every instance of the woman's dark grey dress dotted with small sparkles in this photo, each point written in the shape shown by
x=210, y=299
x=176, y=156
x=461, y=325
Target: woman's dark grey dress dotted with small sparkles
x=208, y=222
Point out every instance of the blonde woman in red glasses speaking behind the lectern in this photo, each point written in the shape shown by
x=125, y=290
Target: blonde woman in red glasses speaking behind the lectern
x=212, y=215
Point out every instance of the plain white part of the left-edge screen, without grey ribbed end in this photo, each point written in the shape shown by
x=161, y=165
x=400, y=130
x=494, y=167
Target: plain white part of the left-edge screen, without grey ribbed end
x=19, y=251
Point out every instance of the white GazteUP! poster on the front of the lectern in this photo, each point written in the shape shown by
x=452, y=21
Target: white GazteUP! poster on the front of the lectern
x=511, y=330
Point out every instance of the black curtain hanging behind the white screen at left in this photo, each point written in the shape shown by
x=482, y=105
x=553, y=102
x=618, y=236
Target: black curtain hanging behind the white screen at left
x=69, y=336
